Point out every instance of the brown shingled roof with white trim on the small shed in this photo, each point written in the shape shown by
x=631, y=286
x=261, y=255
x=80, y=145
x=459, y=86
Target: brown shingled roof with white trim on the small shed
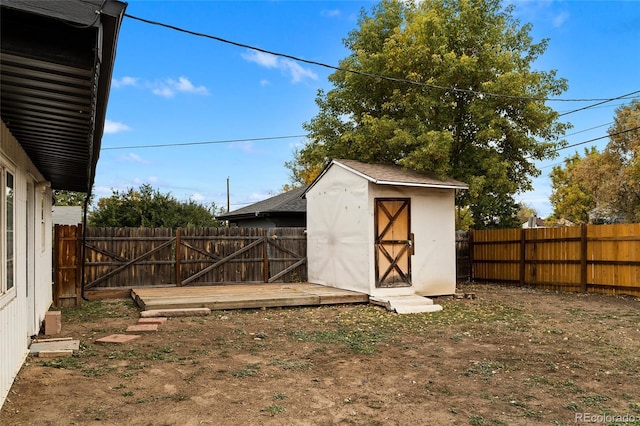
x=386, y=174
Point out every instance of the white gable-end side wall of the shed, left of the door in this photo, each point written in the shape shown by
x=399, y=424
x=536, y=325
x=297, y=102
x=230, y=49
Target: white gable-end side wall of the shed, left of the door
x=339, y=231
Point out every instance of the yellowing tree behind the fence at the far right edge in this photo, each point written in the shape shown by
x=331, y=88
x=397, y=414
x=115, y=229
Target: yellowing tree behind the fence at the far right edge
x=603, y=187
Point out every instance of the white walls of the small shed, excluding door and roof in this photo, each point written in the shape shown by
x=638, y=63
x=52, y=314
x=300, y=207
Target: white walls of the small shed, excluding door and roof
x=341, y=240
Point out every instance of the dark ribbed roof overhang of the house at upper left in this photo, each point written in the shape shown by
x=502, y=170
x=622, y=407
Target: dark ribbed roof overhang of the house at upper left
x=56, y=64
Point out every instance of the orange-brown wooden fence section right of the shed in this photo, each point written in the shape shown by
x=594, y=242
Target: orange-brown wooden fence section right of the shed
x=589, y=258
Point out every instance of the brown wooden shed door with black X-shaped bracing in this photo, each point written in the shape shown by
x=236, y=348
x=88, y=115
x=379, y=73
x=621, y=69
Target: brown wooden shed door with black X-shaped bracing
x=394, y=242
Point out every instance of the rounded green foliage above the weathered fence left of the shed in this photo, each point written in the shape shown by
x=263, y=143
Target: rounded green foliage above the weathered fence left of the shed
x=147, y=207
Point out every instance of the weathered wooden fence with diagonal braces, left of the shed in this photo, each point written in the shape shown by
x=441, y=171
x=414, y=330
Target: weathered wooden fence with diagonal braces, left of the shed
x=118, y=259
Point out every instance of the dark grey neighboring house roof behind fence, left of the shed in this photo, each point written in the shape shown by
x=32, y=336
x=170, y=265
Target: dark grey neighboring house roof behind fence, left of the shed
x=287, y=203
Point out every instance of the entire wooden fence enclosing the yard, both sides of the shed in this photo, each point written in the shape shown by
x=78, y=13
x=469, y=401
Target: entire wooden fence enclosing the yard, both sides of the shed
x=591, y=258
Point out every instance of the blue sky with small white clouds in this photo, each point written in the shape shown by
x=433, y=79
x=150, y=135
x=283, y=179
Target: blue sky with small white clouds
x=174, y=88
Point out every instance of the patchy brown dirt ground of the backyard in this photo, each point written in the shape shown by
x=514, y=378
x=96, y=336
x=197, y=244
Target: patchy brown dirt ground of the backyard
x=511, y=356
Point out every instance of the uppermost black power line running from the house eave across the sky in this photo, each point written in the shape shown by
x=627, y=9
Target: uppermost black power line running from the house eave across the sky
x=362, y=73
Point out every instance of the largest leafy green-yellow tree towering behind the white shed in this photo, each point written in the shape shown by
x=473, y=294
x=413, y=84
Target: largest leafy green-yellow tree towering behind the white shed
x=466, y=102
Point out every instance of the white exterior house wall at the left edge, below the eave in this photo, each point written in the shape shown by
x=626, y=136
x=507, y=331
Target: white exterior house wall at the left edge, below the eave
x=23, y=307
